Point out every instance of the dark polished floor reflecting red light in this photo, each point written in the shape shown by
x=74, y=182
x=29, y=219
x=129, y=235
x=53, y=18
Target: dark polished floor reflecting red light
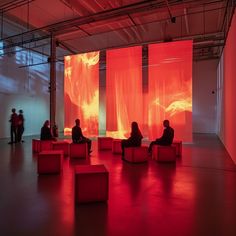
x=195, y=197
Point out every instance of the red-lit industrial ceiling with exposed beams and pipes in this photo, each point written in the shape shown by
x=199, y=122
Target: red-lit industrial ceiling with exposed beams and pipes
x=88, y=25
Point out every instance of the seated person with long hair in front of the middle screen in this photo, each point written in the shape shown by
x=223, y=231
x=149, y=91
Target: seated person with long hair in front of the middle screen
x=135, y=138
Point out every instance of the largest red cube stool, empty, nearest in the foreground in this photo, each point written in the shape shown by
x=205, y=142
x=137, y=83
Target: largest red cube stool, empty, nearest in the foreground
x=91, y=183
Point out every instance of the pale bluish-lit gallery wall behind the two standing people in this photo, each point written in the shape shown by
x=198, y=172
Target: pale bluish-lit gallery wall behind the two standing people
x=26, y=87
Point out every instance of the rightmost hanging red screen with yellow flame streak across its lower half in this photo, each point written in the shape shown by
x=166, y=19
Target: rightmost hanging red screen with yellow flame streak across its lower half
x=170, y=88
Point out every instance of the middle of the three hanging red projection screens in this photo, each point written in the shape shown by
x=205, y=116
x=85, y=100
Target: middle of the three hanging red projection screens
x=123, y=90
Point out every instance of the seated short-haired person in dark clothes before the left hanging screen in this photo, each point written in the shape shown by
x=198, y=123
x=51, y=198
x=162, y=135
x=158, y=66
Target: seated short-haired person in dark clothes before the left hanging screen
x=78, y=137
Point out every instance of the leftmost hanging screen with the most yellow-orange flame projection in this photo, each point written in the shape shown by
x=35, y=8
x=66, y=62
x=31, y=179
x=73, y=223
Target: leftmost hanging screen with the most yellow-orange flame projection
x=81, y=84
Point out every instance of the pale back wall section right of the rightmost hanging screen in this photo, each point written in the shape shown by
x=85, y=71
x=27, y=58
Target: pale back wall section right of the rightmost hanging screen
x=204, y=96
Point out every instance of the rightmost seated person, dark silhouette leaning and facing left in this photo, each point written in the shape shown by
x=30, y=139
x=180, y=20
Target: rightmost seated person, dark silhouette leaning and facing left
x=167, y=137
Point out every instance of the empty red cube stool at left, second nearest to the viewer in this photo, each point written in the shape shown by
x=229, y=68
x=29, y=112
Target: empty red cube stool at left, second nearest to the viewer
x=50, y=162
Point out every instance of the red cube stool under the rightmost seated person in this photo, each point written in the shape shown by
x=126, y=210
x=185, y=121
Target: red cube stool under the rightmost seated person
x=164, y=153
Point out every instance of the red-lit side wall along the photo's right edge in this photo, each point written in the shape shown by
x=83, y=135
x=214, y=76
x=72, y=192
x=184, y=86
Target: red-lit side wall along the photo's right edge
x=226, y=98
